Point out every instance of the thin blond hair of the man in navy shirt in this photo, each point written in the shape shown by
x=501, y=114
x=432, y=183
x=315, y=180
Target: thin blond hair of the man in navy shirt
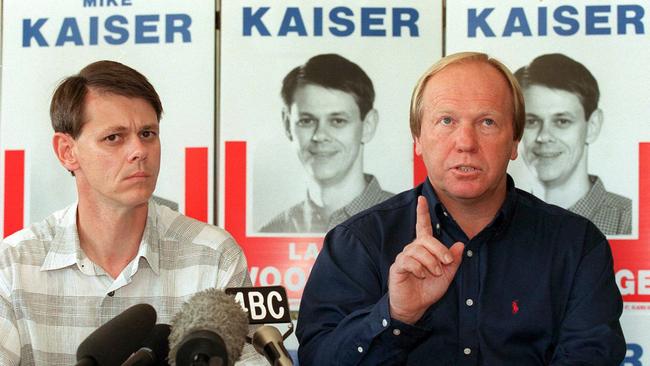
x=519, y=112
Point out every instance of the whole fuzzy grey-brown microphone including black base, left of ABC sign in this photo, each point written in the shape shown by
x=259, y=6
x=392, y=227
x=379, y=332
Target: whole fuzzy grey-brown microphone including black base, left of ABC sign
x=210, y=329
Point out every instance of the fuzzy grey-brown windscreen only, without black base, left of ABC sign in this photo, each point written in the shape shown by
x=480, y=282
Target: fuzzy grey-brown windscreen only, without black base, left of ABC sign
x=214, y=311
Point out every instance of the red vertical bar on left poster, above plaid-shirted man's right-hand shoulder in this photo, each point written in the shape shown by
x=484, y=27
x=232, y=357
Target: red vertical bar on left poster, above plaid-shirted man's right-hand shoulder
x=196, y=183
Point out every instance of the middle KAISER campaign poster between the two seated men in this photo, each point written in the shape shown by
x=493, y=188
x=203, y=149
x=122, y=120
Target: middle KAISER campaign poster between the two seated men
x=298, y=157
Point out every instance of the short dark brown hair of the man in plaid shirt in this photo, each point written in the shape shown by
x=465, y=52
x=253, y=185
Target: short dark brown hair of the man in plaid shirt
x=67, y=106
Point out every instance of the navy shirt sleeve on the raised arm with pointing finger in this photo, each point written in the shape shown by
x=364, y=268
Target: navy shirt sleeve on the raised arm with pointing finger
x=344, y=314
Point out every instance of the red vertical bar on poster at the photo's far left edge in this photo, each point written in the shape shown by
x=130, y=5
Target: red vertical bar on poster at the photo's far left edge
x=14, y=205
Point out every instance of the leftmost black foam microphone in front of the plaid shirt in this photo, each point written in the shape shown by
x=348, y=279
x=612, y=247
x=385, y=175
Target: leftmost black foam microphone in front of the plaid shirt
x=114, y=341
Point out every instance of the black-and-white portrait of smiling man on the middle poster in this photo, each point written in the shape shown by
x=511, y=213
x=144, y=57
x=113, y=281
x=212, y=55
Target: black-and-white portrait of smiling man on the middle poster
x=326, y=114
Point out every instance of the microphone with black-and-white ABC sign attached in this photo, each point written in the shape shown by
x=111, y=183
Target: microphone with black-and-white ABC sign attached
x=267, y=304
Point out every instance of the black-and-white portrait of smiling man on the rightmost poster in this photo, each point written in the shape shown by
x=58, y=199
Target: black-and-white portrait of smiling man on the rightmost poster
x=563, y=119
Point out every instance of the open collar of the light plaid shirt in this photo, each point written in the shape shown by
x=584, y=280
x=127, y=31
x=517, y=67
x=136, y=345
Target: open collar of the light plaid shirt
x=65, y=249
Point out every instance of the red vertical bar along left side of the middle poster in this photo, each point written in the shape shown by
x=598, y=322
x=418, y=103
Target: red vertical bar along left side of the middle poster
x=235, y=189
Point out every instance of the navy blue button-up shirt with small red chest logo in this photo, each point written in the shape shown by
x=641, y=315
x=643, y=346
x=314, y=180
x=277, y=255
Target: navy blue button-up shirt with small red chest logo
x=535, y=287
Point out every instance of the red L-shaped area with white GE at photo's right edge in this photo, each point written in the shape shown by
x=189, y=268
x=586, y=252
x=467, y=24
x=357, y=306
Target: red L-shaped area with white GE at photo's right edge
x=632, y=257
